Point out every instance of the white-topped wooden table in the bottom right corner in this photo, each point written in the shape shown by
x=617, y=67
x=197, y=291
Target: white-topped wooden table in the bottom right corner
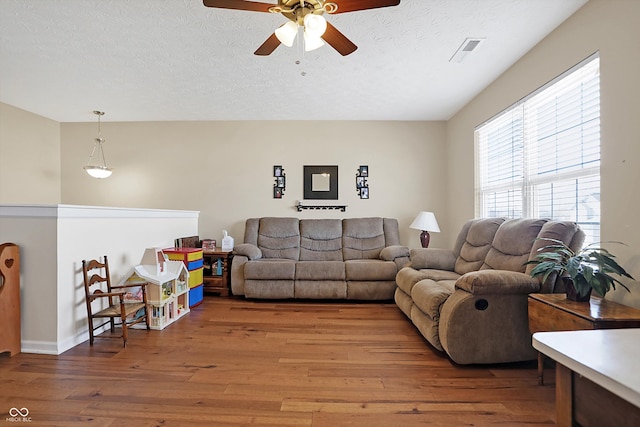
x=597, y=376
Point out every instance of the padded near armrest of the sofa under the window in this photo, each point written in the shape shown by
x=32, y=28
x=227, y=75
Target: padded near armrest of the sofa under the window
x=485, y=282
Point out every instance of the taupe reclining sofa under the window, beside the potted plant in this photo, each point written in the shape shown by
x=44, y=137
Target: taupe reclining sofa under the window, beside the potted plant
x=471, y=302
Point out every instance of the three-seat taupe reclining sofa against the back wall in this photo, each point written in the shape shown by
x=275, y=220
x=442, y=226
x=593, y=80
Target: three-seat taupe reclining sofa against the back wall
x=353, y=258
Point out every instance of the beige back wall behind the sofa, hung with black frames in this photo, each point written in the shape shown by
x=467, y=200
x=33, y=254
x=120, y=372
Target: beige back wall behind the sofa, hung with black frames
x=225, y=169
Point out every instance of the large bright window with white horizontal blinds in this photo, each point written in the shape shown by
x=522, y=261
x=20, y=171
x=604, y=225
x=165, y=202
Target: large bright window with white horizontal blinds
x=541, y=156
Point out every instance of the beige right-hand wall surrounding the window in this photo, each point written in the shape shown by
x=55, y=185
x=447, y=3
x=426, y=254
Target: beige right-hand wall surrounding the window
x=610, y=27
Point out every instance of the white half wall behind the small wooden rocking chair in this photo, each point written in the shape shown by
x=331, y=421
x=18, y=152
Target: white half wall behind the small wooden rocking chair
x=54, y=239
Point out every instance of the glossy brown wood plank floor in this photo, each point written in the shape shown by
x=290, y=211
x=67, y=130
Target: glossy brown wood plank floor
x=232, y=362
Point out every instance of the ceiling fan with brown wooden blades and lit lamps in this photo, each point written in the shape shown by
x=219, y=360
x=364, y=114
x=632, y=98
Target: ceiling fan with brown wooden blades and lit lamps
x=305, y=14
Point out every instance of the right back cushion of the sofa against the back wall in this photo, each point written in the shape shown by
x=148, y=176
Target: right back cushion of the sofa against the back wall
x=362, y=238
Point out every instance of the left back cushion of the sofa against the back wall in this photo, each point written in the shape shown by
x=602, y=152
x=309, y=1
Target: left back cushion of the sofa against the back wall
x=278, y=238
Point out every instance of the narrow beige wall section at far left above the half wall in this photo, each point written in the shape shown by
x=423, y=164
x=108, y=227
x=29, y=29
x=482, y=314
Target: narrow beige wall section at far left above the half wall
x=29, y=157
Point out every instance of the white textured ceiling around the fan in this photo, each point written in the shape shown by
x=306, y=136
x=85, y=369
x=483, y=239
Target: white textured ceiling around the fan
x=149, y=60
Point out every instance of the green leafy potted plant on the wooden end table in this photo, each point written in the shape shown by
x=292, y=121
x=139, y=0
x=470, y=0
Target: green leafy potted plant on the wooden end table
x=590, y=268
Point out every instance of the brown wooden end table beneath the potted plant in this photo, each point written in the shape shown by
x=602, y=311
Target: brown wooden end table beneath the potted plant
x=554, y=312
